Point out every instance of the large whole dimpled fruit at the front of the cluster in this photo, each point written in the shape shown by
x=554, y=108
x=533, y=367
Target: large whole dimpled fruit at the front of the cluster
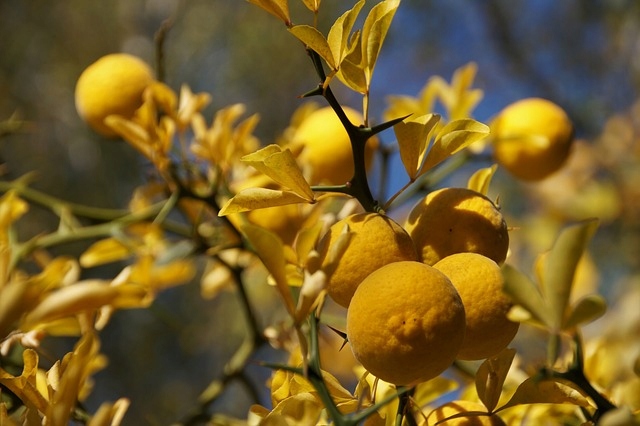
x=406, y=323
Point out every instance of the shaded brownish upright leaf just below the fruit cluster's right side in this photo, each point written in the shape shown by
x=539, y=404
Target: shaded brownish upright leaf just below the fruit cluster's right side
x=491, y=376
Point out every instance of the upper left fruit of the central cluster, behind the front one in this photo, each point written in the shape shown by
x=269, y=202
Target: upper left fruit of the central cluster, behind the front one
x=375, y=240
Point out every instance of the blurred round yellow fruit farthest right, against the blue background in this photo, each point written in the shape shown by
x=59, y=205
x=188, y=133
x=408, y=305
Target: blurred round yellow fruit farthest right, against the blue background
x=532, y=138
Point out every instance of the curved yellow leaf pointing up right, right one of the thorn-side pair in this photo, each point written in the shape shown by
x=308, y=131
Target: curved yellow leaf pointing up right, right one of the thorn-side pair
x=452, y=138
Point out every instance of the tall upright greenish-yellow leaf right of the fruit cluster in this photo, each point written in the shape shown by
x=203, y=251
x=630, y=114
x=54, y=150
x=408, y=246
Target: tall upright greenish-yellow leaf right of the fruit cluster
x=558, y=268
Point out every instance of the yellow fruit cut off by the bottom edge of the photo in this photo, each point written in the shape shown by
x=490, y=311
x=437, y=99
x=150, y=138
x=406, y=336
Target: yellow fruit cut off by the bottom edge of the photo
x=449, y=409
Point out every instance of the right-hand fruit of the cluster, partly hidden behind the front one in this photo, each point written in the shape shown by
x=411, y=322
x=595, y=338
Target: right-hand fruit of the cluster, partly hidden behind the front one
x=479, y=283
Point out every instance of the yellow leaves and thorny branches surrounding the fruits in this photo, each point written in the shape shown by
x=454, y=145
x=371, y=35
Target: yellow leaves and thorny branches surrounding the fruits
x=206, y=176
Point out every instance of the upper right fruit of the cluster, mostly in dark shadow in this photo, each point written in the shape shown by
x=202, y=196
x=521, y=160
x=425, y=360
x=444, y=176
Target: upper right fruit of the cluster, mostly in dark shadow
x=456, y=220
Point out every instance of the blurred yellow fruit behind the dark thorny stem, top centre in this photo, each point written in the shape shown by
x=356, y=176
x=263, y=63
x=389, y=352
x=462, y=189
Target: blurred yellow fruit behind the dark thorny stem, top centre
x=326, y=147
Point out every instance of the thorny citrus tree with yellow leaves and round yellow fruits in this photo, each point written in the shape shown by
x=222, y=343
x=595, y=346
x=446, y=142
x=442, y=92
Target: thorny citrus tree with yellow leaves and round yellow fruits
x=423, y=287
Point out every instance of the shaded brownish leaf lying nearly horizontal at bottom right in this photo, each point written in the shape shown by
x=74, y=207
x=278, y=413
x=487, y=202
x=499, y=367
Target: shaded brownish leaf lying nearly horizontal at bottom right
x=544, y=391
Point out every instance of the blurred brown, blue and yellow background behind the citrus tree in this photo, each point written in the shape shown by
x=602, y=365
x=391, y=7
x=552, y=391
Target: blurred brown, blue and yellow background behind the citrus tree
x=581, y=55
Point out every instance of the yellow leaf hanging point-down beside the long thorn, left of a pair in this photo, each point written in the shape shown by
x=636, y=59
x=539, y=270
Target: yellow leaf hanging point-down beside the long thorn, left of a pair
x=413, y=136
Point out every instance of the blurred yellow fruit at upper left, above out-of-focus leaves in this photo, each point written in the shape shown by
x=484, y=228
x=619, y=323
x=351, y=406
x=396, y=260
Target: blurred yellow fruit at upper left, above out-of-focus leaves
x=114, y=84
